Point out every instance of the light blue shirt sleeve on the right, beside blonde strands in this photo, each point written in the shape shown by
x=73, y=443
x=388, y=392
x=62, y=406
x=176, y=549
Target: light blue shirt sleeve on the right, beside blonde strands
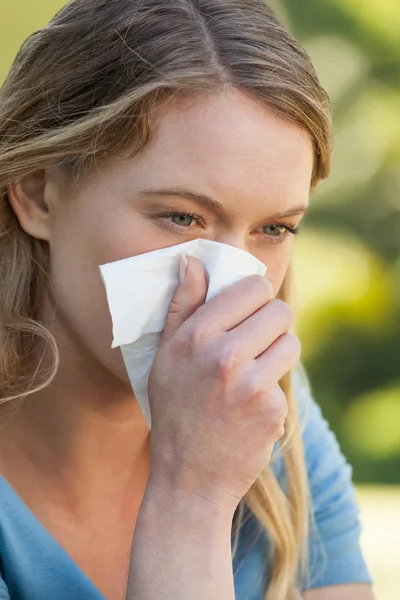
x=334, y=547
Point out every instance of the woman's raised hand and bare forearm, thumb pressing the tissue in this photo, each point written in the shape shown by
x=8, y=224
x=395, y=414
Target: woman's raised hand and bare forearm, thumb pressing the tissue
x=214, y=379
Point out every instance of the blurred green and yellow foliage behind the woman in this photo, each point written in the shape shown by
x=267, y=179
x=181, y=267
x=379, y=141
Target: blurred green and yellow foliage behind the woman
x=348, y=259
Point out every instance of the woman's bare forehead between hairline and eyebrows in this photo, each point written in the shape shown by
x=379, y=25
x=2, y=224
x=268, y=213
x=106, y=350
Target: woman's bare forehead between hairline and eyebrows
x=227, y=146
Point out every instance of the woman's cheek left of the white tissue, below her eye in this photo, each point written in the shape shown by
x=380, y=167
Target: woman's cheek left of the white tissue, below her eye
x=87, y=234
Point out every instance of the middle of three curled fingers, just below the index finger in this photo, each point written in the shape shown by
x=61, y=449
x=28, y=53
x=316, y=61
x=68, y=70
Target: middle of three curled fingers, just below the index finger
x=257, y=333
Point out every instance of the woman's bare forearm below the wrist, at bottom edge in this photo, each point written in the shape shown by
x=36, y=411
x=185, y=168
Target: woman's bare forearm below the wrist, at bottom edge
x=181, y=549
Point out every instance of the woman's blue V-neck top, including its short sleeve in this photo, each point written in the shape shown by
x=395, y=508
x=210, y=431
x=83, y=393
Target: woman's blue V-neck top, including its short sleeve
x=33, y=566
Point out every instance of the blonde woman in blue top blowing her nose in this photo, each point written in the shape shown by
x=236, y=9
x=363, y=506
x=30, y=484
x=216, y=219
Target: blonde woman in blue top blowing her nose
x=126, y=127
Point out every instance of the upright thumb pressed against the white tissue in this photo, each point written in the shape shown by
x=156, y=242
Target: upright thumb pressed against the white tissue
x=189, y=296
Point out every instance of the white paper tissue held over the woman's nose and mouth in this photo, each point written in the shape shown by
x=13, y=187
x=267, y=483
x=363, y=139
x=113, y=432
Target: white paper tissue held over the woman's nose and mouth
x=140, y=290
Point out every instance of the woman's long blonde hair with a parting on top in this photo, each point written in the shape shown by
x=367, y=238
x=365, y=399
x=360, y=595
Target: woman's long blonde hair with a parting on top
x=82, y=90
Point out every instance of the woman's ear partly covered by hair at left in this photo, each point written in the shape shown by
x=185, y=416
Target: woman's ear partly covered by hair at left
x=27, y=199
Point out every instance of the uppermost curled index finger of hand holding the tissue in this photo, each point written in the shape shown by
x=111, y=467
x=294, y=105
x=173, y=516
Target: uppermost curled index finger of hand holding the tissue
x=233, y=305
